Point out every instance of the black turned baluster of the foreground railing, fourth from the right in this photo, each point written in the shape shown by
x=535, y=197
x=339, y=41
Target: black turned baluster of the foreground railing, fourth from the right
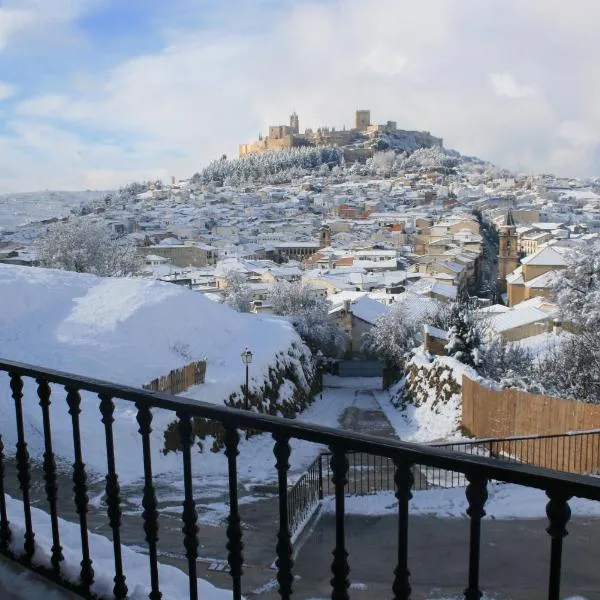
x=339, y=566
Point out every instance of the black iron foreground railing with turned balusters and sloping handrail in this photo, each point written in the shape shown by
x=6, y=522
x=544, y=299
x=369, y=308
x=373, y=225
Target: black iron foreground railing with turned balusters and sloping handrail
x=478, y=470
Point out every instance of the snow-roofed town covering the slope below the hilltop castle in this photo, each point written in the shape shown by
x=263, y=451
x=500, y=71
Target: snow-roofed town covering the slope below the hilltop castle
x=420, y=226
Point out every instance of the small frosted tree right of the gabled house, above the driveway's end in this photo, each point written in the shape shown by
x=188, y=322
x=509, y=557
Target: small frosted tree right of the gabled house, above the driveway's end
x=393, y=336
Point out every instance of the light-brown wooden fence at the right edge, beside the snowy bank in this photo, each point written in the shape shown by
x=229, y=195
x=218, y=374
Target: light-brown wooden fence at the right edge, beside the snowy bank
x=498, y=414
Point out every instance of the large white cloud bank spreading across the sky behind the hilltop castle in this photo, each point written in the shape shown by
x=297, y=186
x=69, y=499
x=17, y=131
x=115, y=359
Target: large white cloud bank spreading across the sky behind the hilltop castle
x=426, y=65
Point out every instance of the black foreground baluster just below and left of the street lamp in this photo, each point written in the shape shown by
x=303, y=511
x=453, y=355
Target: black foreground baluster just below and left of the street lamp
x=234, y=529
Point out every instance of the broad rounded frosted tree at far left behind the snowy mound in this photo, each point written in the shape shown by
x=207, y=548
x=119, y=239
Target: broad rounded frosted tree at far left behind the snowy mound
x=87, y=247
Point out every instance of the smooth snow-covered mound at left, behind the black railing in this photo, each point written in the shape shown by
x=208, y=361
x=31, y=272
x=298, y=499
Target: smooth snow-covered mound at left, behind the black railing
x=126, y=331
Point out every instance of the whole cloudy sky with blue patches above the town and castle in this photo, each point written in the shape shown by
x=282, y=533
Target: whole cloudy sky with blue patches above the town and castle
x=97, y=93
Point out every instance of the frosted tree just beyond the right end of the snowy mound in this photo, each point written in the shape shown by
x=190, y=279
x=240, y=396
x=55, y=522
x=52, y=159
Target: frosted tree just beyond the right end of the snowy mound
x=309, y=314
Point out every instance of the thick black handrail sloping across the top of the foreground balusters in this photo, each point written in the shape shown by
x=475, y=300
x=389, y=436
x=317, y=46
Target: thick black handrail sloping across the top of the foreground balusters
x=490, y=468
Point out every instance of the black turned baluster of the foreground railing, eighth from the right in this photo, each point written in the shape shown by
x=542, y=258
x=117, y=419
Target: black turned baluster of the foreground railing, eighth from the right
x=150, y=514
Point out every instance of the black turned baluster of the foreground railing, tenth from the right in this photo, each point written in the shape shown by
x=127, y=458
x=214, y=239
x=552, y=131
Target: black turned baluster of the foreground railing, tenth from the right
x=80, y=488
